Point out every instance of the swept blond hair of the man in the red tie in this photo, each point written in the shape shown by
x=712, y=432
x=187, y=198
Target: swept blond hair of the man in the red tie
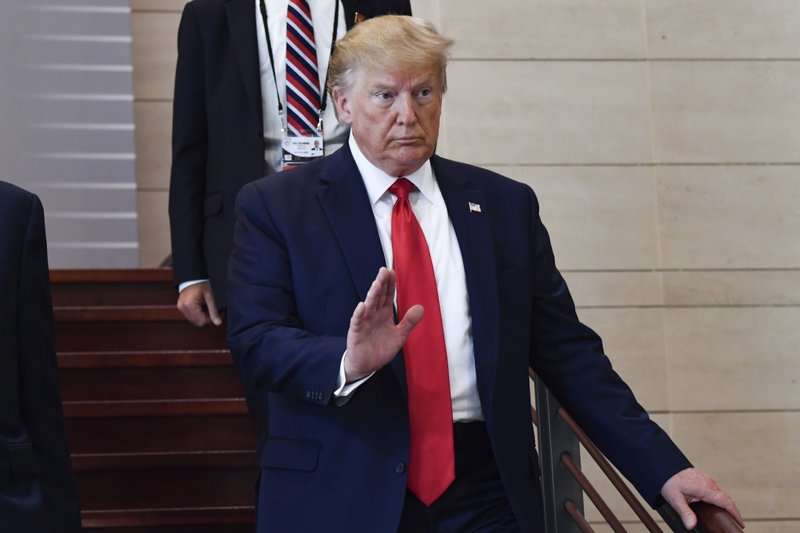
x=388, y=43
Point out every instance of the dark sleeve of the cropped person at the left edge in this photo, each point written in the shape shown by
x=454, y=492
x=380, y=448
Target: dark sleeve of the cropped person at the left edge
x=40, y=397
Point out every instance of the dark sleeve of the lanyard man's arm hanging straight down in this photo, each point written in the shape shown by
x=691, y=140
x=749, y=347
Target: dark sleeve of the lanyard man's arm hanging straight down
x=189, y=153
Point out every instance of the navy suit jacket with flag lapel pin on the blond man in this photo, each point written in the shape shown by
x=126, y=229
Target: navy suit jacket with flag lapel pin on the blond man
x=306, y=251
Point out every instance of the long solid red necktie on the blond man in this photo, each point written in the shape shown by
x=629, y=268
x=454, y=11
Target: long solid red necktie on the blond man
x=431, y=465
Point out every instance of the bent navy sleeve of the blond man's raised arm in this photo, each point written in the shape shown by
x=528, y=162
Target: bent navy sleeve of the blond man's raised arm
x=271, y=348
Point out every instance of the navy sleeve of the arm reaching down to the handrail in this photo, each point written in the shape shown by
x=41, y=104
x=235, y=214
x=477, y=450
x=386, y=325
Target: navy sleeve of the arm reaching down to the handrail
x=569, y=357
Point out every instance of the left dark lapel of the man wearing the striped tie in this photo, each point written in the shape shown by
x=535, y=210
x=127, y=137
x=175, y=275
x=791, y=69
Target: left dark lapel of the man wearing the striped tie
x=242, y=29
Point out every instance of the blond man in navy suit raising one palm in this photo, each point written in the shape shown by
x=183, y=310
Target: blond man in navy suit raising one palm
x=312, y=322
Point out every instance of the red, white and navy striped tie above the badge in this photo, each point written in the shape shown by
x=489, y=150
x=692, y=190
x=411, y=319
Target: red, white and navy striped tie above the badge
x=302, y=76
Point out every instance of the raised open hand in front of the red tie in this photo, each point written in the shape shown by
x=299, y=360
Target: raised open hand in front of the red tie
x=373, y=339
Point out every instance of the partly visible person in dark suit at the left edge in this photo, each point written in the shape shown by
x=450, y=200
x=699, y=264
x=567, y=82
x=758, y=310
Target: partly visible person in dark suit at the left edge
x=37, y=488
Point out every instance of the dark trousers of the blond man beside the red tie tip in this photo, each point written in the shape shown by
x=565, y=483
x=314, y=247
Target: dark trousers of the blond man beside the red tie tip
x=476, y=500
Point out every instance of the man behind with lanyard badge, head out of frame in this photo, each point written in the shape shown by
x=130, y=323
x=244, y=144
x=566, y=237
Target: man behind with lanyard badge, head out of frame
x=222, y=126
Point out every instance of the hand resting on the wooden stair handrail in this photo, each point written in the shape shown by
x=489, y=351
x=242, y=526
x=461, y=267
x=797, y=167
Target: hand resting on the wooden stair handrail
x=689, y=486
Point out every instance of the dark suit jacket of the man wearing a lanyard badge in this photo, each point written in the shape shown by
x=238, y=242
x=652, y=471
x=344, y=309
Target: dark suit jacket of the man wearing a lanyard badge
x=217, y=130
